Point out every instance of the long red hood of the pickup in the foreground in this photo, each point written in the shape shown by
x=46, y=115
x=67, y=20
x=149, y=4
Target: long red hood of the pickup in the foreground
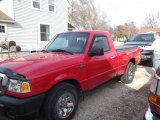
x=40, y=63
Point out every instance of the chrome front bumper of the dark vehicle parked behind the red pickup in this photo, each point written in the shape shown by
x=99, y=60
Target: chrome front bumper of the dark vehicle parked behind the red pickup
x=146, y=55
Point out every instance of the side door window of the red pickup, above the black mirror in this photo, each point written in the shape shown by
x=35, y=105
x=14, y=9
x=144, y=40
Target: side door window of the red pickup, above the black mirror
x=101, y=42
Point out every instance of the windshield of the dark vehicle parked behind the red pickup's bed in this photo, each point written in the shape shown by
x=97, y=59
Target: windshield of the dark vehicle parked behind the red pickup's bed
x=142, y=38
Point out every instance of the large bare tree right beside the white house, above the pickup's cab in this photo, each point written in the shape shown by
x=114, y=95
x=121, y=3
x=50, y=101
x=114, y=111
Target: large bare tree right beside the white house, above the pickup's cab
x=85, y=15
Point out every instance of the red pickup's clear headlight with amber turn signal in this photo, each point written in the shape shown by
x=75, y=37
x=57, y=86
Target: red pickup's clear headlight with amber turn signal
x=18, y=86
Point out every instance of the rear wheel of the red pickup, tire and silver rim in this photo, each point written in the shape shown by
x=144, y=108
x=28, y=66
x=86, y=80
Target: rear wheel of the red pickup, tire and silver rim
x=129, y=74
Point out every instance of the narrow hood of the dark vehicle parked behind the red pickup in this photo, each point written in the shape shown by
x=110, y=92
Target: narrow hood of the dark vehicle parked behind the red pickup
x=138, y=43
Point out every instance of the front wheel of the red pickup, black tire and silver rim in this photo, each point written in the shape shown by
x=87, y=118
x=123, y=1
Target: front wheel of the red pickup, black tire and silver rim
x=61, y=103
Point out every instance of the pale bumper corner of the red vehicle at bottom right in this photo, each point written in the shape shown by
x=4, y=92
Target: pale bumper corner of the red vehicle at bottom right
x=150, y=115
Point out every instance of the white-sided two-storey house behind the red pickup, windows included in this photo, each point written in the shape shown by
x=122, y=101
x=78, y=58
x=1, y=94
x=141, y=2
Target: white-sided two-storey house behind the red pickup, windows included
x=32, y=23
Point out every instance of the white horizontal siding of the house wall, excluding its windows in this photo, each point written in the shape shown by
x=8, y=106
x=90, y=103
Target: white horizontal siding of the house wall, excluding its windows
x=26, y=32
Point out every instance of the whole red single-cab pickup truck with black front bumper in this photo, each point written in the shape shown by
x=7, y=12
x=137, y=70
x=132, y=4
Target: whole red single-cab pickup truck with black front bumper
x=50, y=82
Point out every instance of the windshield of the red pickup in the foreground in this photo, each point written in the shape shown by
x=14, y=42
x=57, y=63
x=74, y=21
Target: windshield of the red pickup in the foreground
x=72, y=42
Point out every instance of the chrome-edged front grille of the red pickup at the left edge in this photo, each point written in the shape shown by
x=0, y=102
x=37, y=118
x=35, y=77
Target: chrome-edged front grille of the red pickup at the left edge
x=3, y=83
